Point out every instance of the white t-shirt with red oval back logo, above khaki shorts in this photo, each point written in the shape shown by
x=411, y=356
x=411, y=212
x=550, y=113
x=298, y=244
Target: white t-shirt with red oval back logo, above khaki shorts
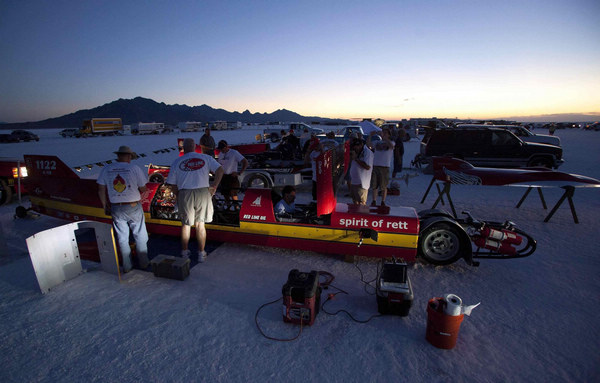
x=191, y=171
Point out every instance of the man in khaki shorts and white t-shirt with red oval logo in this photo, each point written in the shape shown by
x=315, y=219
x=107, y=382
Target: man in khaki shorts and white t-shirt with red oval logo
x=190, y=177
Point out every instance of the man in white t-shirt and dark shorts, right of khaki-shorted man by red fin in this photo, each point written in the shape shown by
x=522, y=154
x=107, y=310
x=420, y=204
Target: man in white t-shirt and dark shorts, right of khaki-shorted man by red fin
x=382, y=159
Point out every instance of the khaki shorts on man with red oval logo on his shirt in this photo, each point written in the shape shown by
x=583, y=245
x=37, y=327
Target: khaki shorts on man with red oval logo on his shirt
x=195, y=205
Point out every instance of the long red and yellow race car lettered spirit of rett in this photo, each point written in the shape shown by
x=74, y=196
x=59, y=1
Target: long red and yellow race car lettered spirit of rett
x=325, y=227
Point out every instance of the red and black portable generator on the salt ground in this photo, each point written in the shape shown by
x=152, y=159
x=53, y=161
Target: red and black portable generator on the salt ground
x=301, y=297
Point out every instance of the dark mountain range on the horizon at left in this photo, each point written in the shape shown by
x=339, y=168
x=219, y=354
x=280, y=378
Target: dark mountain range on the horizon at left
x=142, y=109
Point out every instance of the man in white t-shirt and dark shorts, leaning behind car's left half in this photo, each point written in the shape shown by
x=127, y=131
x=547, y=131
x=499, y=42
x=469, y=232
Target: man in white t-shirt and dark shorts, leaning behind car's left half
x=230, y=185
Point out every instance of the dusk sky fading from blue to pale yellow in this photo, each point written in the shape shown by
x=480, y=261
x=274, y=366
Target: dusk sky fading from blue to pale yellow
x=347, y=59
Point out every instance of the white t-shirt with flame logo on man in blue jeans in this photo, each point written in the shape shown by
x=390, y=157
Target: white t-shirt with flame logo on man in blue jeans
x=122, y=180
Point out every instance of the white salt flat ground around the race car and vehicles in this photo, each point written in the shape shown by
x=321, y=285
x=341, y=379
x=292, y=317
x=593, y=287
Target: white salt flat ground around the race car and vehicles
x=538, y=319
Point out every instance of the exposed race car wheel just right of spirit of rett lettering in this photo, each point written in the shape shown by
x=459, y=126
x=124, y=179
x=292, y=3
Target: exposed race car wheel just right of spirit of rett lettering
x=440, y=244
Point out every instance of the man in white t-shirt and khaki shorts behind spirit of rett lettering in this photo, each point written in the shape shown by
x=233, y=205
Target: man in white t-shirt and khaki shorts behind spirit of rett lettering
x=360, y=171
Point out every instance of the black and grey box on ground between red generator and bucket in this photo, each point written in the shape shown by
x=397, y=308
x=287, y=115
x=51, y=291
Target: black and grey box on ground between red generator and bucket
x=394, y=291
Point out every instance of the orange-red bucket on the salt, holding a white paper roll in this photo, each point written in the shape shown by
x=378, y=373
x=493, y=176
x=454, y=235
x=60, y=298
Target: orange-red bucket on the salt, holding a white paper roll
x=442, y=330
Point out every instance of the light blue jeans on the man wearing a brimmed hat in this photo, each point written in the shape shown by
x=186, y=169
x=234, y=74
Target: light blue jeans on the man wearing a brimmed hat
x=125, y=218
